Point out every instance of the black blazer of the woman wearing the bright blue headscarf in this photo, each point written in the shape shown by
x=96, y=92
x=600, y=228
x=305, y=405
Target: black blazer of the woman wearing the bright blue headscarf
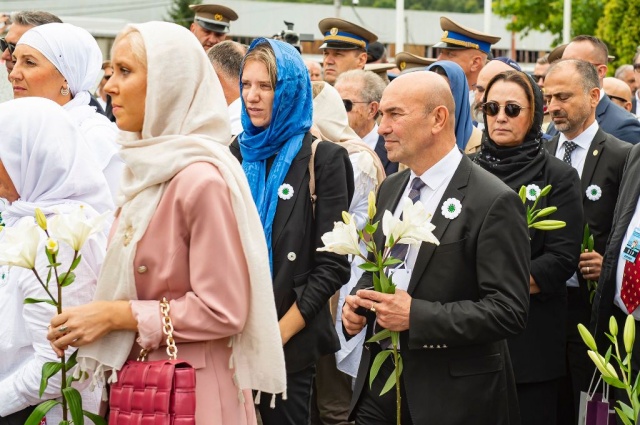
x=300, y=273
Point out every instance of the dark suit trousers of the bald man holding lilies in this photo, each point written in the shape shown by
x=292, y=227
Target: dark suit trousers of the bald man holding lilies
x=373, y=409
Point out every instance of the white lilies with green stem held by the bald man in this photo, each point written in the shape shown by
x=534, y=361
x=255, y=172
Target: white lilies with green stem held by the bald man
x=413, y=228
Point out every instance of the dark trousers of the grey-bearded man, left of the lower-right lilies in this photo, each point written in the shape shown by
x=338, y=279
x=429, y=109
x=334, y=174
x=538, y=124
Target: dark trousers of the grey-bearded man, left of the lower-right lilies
x=579, y=366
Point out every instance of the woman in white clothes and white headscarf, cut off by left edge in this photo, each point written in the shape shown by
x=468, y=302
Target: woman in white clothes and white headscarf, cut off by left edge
x=42, y=165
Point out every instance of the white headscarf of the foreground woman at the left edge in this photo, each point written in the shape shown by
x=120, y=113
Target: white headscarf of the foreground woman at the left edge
x=48, y=160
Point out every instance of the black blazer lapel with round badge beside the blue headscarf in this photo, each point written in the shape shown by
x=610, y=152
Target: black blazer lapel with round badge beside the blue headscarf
x=295, y=177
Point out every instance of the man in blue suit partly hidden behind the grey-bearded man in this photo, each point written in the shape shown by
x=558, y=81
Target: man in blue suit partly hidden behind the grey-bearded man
x=612, y=118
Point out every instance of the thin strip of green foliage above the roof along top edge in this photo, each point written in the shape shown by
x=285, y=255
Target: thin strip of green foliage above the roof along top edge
x=468, y=6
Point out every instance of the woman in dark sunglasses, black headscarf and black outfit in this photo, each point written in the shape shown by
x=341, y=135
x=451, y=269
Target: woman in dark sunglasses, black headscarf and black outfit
x=513, y=151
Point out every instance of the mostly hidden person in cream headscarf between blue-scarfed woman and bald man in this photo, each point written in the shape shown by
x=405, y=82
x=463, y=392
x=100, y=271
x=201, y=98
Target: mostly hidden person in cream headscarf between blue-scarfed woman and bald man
x=331, y=122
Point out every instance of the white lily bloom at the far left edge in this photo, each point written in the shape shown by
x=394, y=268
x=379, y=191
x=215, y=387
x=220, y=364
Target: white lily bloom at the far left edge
x=20, y=245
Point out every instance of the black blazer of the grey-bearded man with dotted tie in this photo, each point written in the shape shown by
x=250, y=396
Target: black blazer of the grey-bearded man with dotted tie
x=603, y=167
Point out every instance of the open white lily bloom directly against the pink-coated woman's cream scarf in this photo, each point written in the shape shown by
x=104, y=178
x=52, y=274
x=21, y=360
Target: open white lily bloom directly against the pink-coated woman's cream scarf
x=75, y=228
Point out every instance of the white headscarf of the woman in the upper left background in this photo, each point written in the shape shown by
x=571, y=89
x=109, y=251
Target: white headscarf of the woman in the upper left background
x=73, y=51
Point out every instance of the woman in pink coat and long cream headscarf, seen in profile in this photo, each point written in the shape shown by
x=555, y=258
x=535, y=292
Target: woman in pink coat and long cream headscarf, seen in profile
x=185, y=209
